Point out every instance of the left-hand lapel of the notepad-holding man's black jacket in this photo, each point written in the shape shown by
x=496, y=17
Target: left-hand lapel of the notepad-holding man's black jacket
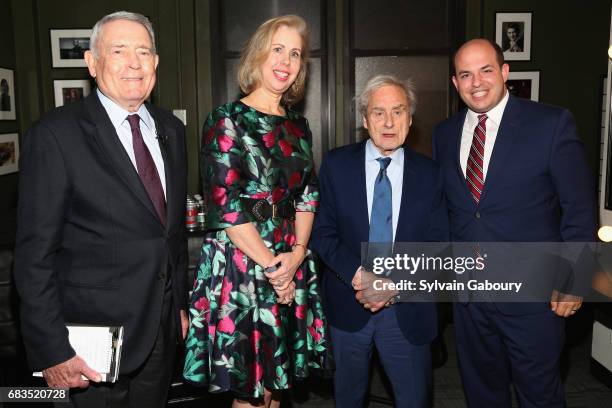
x=107, y=139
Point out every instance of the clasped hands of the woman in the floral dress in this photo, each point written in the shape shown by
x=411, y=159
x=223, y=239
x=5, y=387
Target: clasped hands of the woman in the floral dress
x=281, y=279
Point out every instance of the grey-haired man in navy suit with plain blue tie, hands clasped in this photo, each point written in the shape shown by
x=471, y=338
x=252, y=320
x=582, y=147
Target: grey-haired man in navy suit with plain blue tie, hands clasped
x=378, y=190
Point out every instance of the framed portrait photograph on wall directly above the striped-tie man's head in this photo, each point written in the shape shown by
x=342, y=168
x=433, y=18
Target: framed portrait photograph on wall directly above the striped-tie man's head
x=513, y=34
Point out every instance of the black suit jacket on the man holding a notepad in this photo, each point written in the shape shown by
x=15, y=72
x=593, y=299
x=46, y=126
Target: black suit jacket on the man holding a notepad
x=90, y=246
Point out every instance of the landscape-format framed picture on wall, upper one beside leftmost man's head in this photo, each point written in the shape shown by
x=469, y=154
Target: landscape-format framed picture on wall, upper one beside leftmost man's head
x=68, y=47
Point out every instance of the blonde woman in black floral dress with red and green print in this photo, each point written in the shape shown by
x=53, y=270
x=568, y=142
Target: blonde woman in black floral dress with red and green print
x=256, y=316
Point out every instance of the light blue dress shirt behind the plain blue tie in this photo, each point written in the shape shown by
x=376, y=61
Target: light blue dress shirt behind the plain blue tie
x=395, y=172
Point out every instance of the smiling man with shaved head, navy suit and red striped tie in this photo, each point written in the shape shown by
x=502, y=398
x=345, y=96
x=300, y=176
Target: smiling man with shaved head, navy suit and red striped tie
x=514, y=171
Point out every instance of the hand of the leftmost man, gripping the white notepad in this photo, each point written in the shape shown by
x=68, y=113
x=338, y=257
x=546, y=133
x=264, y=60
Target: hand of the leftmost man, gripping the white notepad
x=68, y=374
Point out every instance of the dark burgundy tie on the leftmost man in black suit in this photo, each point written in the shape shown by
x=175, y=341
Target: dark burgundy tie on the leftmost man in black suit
x=146, y=169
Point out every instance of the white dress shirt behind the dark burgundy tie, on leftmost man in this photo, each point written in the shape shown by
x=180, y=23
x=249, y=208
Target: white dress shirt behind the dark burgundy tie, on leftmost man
x=118, y=117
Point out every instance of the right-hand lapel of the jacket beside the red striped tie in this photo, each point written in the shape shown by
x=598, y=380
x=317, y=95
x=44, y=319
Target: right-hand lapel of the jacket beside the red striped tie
x=503, y=145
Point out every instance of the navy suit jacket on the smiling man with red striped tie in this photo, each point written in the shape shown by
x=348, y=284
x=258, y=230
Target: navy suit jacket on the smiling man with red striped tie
x=538, y=185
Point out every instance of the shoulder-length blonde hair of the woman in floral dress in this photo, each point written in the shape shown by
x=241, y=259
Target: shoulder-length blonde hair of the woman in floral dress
x=257, y=49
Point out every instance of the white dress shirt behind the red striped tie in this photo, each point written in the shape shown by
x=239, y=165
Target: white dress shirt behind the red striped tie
x=494, y=117
